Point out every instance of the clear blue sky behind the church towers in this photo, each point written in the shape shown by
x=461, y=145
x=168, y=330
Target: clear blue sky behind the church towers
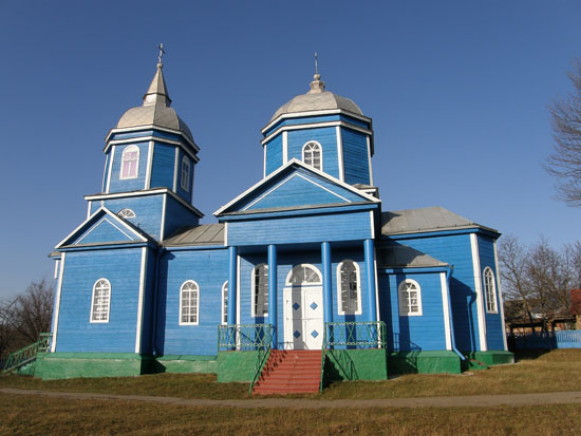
x=458, y=92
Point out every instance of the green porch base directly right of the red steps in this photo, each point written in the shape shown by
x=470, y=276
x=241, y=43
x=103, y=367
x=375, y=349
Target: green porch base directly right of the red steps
x=355, y=365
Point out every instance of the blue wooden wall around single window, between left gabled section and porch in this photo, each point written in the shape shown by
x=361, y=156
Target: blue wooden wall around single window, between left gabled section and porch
x=209, y=269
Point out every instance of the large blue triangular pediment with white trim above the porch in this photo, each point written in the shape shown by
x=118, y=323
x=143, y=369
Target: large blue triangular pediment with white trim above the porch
x=296, y=186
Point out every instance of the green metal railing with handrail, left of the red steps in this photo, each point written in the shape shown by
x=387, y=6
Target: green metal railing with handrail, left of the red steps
x=247, y=337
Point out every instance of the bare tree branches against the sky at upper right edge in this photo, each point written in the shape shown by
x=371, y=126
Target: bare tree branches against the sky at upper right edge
x=565, y=161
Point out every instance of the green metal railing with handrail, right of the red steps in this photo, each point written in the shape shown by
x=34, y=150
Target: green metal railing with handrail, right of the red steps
x=351, y=336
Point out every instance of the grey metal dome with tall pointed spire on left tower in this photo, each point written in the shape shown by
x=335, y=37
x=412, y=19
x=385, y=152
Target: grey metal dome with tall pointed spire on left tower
x=156, y=110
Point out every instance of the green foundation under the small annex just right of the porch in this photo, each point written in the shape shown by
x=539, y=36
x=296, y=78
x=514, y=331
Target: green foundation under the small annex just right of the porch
x=424, y=362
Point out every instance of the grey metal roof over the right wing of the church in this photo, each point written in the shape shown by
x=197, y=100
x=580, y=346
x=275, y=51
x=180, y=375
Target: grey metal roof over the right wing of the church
x=423, y=220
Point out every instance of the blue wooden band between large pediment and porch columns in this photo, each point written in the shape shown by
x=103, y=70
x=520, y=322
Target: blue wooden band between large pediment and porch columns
x=303, y=229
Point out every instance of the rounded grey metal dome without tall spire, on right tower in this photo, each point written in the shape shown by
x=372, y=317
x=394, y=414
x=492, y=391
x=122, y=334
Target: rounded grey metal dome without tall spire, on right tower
x=317, y=99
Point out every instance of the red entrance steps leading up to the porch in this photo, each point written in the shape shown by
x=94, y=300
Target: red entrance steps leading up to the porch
x=290, y=372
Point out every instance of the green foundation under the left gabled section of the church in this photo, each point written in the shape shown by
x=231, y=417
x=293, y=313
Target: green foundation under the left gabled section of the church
x=73, y=365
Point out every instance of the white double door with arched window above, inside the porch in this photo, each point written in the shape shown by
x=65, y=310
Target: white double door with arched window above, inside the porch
x=303, y=309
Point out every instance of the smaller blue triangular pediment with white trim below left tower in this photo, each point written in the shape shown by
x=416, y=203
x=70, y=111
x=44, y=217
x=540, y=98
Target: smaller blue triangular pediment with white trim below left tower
x=103, y=227
